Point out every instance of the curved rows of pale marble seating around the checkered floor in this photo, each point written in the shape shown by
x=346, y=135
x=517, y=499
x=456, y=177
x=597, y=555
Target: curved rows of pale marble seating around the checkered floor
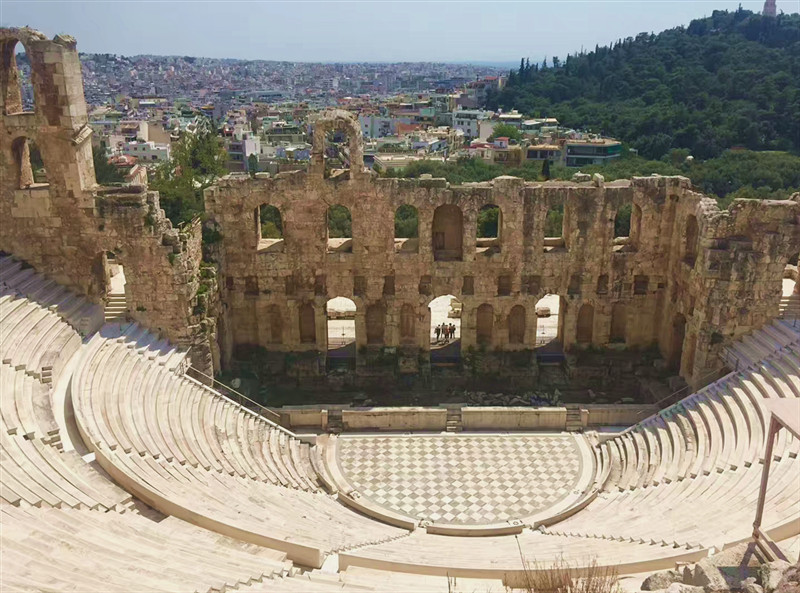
x=237, y=499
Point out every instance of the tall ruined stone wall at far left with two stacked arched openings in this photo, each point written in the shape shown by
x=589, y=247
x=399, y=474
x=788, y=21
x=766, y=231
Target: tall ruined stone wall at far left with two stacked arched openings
x=66, y=226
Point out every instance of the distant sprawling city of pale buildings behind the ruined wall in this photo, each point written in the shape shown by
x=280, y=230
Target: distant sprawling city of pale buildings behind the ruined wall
x=141, y=105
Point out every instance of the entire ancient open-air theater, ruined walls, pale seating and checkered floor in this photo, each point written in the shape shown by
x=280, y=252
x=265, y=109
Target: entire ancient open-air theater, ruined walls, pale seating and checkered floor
x=126, y=467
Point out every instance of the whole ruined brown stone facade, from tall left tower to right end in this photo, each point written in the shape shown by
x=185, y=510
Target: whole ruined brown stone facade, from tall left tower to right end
x=688, y=278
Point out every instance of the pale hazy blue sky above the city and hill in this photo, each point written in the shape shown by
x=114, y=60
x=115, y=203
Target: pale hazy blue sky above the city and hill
x=377, y=30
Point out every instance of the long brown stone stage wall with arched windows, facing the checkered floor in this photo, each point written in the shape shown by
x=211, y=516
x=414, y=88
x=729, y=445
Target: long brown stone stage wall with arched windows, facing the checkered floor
x=686, y=299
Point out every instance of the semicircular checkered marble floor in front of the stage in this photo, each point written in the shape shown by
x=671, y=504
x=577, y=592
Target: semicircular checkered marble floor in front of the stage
x=462, y=479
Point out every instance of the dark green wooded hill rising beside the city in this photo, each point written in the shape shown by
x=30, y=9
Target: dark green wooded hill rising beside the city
x=732, y=79
